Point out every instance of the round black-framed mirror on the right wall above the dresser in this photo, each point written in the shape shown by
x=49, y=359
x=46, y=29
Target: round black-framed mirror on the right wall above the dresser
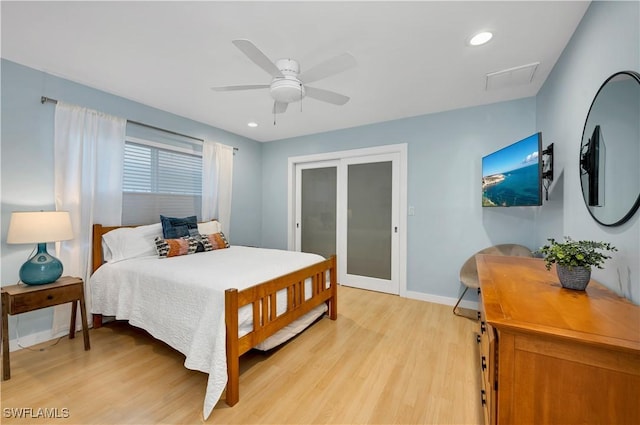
x=610, y=150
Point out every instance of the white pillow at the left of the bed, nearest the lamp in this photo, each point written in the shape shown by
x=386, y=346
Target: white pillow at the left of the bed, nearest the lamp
x=131, y=242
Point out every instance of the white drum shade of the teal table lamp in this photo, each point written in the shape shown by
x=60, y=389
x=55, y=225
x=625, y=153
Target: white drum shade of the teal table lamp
x=39, y=227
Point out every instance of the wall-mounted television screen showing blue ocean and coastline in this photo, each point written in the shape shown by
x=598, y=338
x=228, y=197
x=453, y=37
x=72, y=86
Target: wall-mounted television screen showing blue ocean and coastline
x=512, y=176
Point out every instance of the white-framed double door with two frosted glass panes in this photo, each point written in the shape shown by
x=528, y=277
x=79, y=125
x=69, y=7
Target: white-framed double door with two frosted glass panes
x=351, y=207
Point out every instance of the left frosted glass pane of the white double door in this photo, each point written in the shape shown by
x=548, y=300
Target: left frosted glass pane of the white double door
x=318, y=210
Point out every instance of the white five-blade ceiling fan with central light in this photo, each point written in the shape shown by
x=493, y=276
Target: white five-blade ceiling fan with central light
x=288, y=84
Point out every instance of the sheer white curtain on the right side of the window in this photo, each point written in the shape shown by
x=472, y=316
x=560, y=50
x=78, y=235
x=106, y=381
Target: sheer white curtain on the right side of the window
x=217, y=179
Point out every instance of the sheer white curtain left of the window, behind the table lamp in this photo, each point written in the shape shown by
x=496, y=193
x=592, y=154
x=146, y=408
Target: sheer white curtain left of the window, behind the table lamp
x=88, y=162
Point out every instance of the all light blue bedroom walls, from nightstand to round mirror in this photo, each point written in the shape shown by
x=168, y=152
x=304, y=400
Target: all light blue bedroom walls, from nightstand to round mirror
x=443, y=170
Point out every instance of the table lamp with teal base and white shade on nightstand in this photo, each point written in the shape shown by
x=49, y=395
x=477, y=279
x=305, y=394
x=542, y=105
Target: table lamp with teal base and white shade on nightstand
x=40, y=227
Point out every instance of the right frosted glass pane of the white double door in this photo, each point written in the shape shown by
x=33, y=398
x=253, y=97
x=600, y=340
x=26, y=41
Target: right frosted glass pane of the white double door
x=369, y=219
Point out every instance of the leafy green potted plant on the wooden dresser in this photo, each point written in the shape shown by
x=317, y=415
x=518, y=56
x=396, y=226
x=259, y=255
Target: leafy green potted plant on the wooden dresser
x=574, y=260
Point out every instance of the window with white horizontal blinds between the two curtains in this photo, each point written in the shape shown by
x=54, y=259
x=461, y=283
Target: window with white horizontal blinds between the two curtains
x=160, y=179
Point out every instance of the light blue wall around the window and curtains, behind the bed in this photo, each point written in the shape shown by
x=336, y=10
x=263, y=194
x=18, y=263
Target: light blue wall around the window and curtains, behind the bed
x=27, y=159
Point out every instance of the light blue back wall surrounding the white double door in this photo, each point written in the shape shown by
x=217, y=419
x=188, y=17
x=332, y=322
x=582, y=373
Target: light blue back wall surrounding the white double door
x=444, y=185
